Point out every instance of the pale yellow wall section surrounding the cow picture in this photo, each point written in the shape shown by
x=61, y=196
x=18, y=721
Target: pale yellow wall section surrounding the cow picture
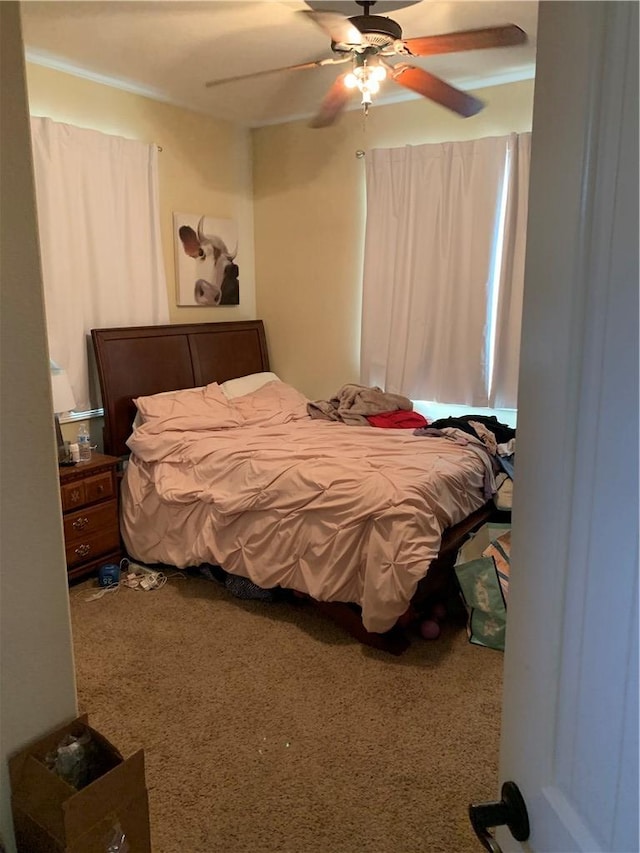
x=204, y=166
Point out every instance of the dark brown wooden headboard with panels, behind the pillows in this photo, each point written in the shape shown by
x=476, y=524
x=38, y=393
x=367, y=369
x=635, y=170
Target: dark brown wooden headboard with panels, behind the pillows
x=135, y=361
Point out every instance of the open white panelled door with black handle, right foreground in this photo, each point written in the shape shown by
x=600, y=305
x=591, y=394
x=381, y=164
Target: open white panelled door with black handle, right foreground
x=570, y=713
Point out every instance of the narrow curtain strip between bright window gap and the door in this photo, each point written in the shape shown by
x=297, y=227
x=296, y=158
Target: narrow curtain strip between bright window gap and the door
x=510, y=278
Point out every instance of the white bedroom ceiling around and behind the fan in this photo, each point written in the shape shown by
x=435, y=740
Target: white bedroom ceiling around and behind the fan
x=168, y=49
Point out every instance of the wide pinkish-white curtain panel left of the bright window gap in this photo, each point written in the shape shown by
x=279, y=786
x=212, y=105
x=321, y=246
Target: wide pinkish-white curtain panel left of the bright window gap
x=431, y=254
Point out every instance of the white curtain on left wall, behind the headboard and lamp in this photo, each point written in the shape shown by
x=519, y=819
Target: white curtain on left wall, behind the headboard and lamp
x=99, y=228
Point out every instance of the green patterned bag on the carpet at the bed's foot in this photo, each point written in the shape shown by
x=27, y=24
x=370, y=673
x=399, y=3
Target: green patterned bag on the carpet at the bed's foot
x=482, y=570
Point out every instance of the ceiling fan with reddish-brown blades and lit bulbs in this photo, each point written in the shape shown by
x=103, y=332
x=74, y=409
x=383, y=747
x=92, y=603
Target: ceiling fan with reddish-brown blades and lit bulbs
x=367, y=41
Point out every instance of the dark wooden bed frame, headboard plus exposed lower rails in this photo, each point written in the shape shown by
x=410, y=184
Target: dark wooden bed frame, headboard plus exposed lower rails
x=138, y=361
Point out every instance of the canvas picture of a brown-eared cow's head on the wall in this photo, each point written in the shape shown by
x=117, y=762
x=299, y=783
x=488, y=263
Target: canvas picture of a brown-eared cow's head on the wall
x=206, y=249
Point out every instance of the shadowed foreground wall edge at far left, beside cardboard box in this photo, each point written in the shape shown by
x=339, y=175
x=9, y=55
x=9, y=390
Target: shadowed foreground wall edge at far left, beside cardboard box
x=38, y=685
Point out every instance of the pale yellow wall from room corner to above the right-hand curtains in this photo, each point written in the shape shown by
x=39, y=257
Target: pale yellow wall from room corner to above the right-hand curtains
x=309, y=224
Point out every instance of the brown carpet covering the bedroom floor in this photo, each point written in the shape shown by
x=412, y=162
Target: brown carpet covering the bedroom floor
x=267, y=729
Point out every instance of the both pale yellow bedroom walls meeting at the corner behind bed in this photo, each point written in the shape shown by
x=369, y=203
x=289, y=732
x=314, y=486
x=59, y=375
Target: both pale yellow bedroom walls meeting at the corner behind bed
x=300, y=191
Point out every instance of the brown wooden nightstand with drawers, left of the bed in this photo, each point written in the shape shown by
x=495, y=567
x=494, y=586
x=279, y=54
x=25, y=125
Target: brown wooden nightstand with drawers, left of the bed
x=89, y=492
